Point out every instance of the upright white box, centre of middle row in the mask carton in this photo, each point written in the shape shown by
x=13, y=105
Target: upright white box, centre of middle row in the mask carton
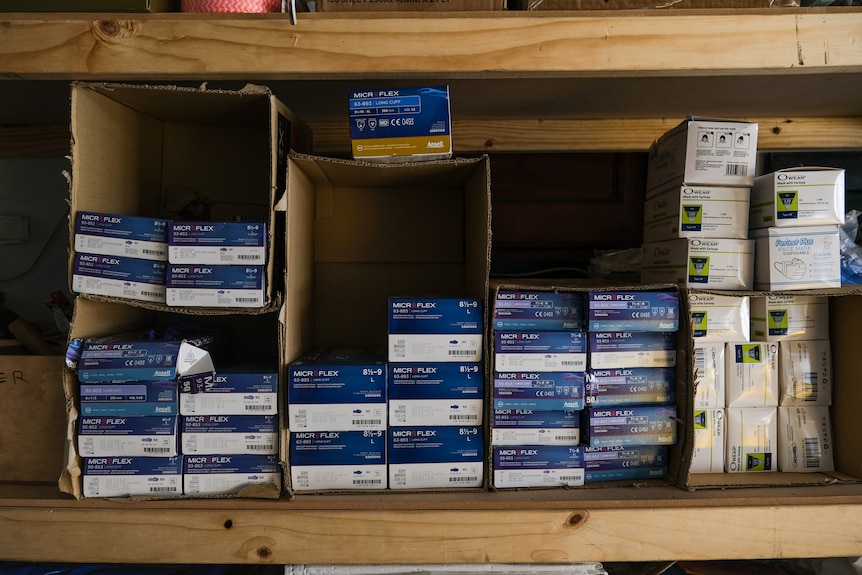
x=751, y=374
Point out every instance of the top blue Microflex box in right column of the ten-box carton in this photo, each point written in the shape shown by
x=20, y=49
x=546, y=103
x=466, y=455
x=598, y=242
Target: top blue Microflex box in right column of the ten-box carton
x=633, y=311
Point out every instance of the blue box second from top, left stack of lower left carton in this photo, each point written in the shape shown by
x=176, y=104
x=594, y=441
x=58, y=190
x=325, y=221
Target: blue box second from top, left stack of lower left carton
x=129, y=398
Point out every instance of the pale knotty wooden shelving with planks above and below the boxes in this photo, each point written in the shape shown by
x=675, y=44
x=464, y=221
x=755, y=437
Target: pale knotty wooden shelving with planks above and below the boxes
x=520, y=82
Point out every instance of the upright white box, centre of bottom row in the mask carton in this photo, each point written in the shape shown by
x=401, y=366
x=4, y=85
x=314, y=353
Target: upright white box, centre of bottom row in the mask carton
x=752, y=438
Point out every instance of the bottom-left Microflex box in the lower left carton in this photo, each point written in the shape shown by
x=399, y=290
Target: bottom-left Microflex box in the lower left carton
x=132, y=476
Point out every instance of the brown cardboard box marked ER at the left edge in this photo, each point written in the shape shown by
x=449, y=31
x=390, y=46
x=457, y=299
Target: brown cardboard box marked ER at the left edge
x=32, y=418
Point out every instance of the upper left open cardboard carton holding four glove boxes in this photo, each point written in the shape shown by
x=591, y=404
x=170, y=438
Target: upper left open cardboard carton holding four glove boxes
x=183, y=153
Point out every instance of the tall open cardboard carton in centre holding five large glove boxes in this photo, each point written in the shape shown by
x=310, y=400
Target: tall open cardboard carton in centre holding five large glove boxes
x=359, y=232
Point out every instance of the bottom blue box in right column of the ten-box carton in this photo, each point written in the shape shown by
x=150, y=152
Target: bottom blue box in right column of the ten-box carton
x=635, y=462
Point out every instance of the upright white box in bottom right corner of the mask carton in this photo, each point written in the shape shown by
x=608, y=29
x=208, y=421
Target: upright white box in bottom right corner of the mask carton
x=805, y=439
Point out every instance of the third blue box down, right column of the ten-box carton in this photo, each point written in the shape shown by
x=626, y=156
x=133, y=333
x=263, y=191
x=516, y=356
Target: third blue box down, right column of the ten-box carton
x=630, y=386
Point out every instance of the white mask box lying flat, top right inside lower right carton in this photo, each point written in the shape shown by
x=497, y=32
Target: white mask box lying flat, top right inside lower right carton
x=779, y=317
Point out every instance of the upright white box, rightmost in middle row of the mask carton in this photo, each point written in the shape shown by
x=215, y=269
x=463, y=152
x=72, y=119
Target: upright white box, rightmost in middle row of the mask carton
x=805, y=373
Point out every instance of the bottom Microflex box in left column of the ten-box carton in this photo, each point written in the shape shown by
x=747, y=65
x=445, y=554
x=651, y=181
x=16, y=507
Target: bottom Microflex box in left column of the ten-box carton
x=538, y=466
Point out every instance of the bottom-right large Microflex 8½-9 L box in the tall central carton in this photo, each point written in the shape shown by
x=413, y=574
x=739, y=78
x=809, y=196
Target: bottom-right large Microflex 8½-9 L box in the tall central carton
x=435, y=457
